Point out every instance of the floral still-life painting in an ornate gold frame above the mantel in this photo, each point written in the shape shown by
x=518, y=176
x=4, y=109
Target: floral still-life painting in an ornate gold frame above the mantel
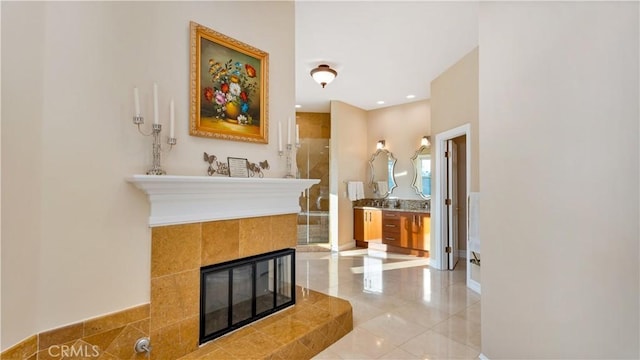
x=229, y=88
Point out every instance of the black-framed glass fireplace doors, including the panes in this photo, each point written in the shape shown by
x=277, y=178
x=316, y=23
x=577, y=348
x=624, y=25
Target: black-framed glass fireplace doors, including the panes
x=236, y=293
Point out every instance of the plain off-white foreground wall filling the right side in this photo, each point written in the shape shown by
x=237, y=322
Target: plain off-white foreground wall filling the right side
x=559, y=173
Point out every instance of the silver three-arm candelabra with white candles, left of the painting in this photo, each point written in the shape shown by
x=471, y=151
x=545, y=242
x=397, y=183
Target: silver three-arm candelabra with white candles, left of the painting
x=138, y=120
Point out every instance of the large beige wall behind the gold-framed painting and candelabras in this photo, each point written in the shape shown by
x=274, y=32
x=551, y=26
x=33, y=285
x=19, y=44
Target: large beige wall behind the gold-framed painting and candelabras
x=75, y=240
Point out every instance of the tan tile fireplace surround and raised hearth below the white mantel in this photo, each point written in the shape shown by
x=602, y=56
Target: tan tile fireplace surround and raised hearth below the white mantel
x=300, y=332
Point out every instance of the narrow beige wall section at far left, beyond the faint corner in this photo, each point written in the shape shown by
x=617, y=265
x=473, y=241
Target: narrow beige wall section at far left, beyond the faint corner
x=21, y=172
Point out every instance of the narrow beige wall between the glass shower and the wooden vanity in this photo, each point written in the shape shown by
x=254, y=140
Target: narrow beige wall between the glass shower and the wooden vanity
x=348, y=149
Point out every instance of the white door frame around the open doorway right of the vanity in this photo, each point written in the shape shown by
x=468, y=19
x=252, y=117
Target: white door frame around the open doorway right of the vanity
x=439, y=240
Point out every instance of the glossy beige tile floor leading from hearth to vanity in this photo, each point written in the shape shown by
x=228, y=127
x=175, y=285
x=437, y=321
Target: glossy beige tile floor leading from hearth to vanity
x=402, y=308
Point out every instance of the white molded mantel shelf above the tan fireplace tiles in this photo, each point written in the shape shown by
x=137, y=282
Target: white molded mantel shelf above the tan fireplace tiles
x=190, y=199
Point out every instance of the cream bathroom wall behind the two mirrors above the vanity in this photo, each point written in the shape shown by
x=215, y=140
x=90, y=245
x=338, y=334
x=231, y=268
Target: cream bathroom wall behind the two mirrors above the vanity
x=402, y=127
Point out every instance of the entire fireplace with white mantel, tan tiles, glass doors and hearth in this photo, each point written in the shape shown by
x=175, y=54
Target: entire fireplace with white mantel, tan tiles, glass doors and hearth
x=199, y=223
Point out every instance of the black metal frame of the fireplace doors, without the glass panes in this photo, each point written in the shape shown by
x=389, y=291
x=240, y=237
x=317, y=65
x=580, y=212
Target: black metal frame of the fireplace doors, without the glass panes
x=229, y=266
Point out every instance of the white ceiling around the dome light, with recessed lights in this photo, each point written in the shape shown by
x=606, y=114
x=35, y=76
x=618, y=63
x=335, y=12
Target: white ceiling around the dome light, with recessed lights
x=382, y=50
